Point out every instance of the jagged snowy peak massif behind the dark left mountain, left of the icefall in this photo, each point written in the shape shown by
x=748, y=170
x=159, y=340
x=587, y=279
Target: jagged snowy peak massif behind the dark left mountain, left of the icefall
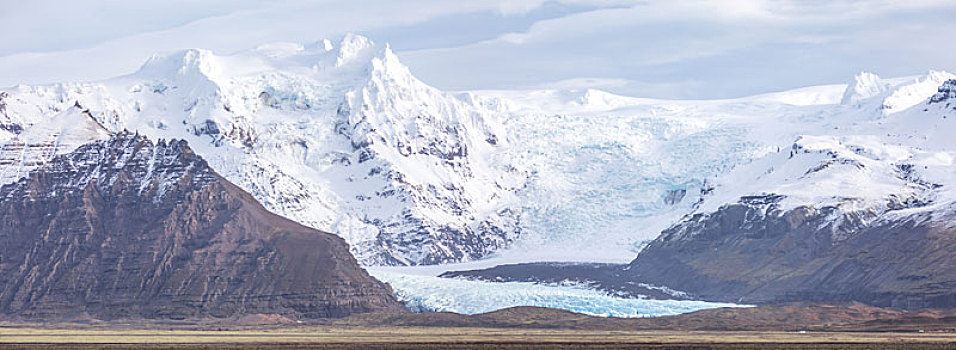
x=340, y=137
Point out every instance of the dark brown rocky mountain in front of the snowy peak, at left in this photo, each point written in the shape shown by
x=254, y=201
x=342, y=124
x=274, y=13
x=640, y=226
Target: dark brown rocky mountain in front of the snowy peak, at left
x=126, y=228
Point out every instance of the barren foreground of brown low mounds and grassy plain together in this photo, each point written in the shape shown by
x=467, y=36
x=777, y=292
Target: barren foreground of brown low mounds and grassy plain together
x=767, y=327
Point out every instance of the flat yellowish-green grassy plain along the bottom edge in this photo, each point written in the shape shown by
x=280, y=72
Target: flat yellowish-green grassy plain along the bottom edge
x=324, y=337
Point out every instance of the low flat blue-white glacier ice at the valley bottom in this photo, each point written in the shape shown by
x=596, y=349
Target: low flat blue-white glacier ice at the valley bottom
x=429, y=293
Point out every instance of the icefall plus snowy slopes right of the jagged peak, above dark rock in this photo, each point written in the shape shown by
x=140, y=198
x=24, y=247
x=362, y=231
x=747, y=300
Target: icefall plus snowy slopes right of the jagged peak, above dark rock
x=637, y=167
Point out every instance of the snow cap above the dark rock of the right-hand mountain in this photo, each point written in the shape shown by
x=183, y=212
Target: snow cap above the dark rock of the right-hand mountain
x=888, y=149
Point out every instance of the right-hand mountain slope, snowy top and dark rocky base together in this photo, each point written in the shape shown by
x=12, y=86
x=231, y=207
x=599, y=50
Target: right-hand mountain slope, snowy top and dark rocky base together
x=865, y=218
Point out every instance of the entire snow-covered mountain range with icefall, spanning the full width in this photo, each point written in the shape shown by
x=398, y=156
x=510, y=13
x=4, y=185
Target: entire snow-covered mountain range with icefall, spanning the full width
x=342, y=137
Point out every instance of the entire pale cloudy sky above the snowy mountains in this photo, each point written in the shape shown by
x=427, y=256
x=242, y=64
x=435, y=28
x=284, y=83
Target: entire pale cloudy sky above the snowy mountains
x=684, y=49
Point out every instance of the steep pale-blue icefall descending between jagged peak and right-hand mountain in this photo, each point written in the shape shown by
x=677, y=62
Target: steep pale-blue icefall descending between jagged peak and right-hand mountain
x=599, y=184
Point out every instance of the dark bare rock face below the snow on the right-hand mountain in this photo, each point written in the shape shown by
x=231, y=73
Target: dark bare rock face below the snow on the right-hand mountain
x=755, y=254
